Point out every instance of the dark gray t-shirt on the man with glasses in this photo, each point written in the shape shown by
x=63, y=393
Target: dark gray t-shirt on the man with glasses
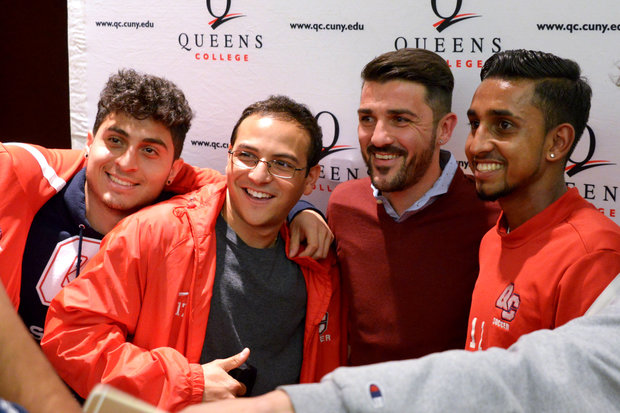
x=259, y=302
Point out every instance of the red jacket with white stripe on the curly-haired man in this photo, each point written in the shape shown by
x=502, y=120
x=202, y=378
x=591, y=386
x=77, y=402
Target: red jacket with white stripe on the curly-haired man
x=29, y=176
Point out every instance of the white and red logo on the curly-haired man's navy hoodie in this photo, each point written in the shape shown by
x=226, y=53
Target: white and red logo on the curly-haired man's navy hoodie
x=61, y=267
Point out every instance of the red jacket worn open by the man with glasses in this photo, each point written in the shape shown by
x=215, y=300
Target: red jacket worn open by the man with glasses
x=137, y=317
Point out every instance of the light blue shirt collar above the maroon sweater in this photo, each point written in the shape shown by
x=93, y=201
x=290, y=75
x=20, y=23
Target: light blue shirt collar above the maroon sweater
x=448, y=165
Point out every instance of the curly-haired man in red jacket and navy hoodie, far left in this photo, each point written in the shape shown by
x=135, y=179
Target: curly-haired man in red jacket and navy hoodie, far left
x=57, y=205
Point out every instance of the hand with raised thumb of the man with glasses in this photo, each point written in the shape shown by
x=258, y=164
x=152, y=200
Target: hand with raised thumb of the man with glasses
x=218, y=383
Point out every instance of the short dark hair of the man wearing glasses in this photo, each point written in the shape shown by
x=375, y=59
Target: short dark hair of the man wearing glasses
x=285, y=108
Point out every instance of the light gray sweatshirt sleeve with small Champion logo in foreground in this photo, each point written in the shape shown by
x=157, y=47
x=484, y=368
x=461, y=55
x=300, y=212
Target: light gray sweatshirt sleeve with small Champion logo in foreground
x=574, y=368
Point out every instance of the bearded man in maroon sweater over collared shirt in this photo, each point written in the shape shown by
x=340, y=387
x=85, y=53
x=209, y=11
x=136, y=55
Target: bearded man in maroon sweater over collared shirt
x=407, y=236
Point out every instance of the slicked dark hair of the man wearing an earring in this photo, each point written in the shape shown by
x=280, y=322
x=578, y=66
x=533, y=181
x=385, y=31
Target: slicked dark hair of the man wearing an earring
x=560, y=92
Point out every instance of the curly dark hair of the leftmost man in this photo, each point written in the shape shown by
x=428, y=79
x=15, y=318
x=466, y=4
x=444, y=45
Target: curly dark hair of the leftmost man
x=146, y=96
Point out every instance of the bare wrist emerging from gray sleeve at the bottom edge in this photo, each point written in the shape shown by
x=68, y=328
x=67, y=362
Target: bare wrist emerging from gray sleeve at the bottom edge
x=273, y=402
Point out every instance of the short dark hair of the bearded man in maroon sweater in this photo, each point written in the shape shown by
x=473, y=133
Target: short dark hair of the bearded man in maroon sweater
x=419, y=66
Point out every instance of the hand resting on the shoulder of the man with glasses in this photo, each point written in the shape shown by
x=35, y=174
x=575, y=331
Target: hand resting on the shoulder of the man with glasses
x=309, y=226
